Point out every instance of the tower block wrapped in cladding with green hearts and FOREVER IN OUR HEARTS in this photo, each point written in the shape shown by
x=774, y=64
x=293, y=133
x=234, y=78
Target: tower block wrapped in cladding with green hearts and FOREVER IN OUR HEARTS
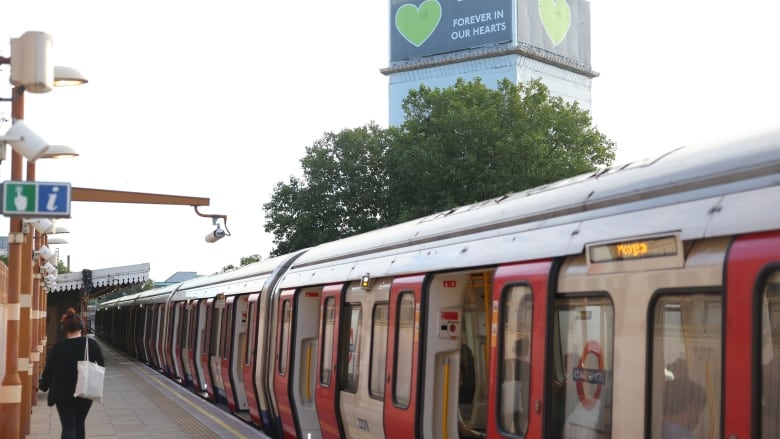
x=434, y=42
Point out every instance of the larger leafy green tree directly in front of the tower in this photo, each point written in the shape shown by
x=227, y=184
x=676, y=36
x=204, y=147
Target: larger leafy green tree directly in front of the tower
x=468, y=143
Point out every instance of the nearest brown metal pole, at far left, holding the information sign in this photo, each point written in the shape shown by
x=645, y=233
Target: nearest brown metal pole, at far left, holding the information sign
x=11, y=390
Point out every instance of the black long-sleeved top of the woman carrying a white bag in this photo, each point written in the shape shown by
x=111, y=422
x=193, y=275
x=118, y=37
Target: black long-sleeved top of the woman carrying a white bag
x=59, y=375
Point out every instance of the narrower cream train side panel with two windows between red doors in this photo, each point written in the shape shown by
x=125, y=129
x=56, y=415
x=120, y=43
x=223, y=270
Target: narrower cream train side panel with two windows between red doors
x=363, y=358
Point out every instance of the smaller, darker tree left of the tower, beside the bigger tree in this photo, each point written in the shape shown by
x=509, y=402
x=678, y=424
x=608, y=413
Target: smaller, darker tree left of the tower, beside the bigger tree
x=343, y=191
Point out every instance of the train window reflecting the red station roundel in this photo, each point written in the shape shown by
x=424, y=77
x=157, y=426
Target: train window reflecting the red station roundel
x=581, y=399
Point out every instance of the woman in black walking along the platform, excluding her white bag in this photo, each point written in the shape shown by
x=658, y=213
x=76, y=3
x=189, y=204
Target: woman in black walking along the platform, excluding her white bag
x=60, y=374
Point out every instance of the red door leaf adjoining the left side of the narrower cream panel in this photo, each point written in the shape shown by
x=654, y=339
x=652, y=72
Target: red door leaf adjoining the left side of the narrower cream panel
x=326, y=393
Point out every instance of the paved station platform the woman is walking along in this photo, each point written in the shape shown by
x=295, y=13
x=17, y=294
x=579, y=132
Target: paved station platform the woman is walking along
x=139, y=402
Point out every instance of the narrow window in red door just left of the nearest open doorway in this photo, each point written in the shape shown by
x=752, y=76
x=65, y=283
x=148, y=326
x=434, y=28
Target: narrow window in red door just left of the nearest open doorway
x=404, y=337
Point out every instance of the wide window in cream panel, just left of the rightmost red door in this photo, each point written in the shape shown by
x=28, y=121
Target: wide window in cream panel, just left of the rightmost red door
x=686, y=365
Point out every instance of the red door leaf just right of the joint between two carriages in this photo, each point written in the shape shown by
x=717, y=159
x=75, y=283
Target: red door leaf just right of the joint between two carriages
x=283, y=365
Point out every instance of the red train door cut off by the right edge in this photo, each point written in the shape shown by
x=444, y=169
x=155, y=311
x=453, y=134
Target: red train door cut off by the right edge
x=751, y=396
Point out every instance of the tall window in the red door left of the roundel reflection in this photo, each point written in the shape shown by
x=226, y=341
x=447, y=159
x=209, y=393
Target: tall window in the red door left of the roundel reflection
x=517, y=310
